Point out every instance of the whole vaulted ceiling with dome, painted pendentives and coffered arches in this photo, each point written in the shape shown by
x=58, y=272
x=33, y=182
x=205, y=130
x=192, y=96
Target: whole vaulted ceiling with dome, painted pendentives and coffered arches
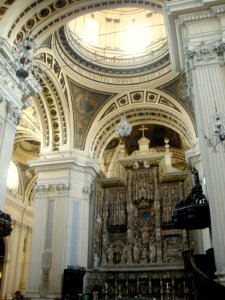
x=87, y=85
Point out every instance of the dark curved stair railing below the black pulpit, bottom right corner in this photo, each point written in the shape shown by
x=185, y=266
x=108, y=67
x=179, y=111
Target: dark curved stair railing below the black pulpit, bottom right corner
x=203, y=287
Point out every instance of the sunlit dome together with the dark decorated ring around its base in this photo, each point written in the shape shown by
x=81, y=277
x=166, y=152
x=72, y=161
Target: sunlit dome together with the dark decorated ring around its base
x=128, y=44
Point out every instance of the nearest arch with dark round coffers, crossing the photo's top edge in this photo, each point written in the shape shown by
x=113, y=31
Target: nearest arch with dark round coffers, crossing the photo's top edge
x=36, y=16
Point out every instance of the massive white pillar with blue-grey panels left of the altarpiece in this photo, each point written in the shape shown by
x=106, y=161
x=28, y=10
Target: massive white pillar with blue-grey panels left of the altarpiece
x=61, y=223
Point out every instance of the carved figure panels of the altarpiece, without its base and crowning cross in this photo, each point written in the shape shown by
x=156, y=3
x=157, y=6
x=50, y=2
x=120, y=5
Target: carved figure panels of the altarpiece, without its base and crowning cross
x=136, y=226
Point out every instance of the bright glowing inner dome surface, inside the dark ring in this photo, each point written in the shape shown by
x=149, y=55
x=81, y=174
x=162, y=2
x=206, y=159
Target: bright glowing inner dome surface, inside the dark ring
x=124, y=37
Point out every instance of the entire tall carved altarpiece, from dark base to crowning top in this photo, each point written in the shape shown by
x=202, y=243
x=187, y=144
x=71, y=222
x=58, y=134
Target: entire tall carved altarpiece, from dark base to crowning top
x=138, y=250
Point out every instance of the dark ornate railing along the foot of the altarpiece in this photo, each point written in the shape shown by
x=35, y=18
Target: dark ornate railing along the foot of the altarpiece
x=142, y=283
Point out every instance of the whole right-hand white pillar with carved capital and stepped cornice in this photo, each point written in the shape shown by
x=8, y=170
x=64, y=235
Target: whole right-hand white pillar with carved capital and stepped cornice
x=196, y=35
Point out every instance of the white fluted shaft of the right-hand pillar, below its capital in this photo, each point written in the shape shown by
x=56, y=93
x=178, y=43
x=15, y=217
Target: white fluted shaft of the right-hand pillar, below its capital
x=209, y=92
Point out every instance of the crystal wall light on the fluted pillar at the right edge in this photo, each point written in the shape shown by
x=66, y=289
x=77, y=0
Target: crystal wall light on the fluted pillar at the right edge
x=218, y=135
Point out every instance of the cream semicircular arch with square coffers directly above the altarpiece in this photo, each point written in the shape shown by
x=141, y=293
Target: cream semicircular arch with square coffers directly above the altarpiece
x=150, y=107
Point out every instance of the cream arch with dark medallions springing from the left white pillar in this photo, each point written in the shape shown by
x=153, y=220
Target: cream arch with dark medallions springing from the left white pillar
x=52, y=111
